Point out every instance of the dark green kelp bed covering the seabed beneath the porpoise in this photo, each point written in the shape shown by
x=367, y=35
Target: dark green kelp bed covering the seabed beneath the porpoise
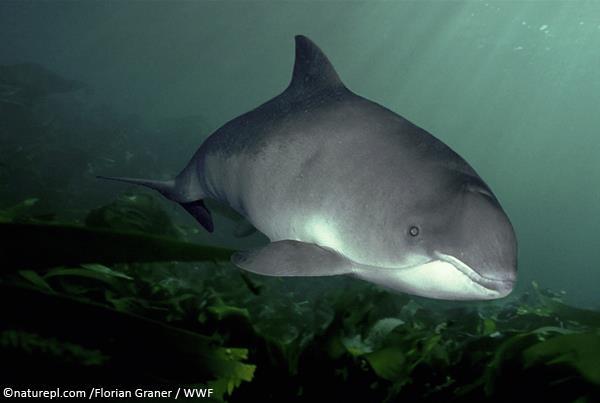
x=108, y=304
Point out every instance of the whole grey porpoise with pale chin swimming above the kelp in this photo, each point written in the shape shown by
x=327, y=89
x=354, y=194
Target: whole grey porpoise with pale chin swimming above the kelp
x=342, y=185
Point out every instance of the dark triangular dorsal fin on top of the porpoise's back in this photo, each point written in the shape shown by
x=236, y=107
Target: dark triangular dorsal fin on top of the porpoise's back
x=312, y=70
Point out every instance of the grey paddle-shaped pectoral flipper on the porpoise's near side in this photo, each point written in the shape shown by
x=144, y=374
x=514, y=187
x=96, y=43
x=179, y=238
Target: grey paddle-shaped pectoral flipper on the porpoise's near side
x=292, y=258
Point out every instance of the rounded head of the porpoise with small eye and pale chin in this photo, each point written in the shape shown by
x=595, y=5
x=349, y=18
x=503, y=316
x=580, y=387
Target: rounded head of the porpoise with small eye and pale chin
x=457, y=243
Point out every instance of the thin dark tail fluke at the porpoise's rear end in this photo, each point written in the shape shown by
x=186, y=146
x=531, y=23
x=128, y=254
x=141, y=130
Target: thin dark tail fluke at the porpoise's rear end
x=167, y=188
